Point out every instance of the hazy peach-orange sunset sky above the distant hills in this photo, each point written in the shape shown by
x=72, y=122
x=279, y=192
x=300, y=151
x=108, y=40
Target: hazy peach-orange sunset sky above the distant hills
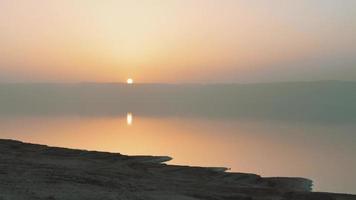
x=177, y=40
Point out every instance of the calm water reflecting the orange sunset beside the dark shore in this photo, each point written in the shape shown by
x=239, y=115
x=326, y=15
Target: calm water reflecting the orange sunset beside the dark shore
x=322, y=152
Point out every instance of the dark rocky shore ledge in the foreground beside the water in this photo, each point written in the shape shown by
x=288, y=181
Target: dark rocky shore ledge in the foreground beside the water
x=30, y=171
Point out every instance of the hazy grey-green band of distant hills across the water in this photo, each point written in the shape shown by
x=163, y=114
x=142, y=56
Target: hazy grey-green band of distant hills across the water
x=326, y=101
